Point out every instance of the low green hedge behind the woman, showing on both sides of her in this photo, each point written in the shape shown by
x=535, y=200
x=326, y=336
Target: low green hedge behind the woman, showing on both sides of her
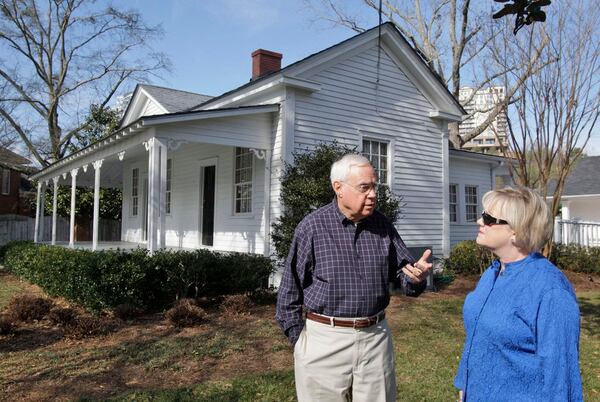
x=469, y=258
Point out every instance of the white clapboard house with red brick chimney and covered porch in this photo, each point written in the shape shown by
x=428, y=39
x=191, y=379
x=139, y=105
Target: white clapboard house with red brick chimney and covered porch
x=205, y=172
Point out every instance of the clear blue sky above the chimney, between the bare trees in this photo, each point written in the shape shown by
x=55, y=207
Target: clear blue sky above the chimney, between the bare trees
x=209, y=42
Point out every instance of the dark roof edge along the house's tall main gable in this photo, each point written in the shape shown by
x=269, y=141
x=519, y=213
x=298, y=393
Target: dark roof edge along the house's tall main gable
x=385, y=27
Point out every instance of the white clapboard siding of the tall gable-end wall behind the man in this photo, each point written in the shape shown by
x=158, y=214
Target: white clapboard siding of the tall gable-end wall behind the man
x=348, y=107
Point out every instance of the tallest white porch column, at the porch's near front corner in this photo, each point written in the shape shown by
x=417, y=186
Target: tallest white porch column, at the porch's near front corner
x=153, y=192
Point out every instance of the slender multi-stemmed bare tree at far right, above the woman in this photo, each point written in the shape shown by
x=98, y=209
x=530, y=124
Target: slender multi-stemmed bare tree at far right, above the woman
x=558, y=108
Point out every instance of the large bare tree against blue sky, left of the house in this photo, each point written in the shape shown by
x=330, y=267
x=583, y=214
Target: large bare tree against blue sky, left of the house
x=58, y=57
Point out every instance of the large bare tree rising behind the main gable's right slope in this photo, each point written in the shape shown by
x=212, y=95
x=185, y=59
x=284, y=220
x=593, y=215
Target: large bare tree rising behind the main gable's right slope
x=454, y=38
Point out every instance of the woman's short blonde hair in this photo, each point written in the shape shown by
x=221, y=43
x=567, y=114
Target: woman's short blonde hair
x=526, y=212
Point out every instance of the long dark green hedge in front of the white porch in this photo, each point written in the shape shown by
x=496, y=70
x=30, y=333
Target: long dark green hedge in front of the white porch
x=105, y=279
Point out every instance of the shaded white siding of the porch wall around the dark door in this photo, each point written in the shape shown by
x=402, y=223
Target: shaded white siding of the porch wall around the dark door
x=231, y=233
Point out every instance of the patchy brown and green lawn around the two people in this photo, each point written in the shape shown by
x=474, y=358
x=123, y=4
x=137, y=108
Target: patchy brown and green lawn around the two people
x=242, y=358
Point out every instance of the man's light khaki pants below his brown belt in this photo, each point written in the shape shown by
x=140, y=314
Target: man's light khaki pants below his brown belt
x=330, y=362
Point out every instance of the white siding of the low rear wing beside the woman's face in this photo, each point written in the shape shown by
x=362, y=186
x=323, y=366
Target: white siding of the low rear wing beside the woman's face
x=467, y=173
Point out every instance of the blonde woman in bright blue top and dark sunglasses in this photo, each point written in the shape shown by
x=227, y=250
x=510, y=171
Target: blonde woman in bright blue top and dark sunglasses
x=522, y=319
